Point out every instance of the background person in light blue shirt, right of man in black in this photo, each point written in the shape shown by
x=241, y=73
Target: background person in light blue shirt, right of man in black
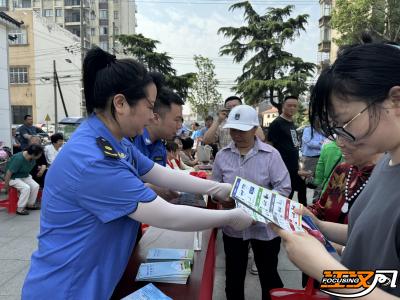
x=311, y=145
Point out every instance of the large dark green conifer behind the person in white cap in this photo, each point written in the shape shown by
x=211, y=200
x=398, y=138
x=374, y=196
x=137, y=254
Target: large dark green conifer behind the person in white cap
x=268, y=70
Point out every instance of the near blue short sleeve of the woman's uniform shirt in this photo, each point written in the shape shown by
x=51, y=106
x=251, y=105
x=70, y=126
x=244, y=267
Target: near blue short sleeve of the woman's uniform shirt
x=110, y=190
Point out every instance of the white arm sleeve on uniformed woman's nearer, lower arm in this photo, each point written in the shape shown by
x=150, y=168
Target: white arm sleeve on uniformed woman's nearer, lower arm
x=159, y=213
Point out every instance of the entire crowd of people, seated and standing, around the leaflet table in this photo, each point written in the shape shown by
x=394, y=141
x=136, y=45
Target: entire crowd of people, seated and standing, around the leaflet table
x=119, y=169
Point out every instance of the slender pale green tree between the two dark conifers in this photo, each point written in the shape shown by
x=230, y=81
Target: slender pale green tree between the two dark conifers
x=204, y=96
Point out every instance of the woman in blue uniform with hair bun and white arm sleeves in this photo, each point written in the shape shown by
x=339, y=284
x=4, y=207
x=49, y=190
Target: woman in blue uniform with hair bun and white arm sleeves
x=94, y=195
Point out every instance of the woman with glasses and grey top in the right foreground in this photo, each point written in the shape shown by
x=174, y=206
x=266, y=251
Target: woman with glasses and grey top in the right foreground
x=358, y=99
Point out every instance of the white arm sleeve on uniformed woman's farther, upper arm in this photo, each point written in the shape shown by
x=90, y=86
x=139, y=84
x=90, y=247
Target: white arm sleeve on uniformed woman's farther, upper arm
x=179, y=181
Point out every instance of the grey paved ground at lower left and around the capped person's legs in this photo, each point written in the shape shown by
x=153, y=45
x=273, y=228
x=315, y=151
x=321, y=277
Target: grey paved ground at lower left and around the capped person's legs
x=18, y=241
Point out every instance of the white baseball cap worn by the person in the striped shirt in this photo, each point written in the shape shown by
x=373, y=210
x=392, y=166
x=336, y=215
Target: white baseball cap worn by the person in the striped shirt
x=242, y=117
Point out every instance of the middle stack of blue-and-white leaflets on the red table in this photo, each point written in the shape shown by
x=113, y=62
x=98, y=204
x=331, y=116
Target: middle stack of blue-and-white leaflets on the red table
x=168, y=272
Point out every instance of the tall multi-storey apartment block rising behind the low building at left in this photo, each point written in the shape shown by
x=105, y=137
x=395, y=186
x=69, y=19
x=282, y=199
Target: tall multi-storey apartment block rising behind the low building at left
x=102, y=20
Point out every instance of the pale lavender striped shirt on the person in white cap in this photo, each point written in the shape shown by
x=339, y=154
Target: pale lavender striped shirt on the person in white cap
x=262, y=165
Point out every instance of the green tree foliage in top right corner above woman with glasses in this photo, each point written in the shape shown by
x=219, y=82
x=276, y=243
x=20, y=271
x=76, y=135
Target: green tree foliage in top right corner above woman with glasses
x=380, y=18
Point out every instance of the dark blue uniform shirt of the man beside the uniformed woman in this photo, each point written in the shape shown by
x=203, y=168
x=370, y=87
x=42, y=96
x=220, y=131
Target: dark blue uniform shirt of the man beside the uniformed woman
x=155, y=151
